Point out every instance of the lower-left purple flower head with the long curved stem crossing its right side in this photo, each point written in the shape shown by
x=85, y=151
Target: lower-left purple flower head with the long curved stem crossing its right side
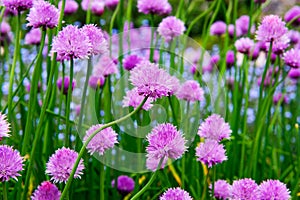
x=61, y=164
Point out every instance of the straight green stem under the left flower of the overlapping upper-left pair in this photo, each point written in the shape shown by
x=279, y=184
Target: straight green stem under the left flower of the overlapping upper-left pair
x=68, y=106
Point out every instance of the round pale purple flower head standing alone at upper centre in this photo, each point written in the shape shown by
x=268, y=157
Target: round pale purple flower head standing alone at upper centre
x=171, y=27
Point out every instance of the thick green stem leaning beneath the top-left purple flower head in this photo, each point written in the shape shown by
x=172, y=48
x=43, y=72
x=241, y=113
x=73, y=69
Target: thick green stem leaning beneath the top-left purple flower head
x=33, y=95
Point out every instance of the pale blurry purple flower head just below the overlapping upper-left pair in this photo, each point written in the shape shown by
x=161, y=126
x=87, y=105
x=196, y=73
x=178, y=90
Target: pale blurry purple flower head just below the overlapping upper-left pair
x=105, y=67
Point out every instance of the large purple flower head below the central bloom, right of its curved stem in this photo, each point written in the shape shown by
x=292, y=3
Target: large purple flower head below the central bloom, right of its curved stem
x=165, y=142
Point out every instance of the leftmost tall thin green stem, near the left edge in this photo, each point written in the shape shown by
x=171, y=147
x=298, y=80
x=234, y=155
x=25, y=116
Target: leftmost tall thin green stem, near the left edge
x=13, y=66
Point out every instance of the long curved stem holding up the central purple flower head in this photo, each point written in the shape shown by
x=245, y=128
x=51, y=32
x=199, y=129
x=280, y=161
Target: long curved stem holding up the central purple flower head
x=82, y=150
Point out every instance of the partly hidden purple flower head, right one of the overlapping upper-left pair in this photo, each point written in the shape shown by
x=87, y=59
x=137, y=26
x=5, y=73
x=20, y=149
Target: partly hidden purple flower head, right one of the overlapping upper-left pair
x=99, y=43
